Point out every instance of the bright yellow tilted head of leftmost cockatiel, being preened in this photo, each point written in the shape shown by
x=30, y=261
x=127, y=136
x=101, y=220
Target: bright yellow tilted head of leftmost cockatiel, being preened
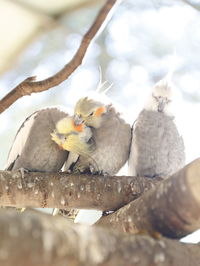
x=72, y=137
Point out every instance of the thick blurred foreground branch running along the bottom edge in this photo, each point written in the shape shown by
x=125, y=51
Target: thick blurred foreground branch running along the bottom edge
x=48, y=241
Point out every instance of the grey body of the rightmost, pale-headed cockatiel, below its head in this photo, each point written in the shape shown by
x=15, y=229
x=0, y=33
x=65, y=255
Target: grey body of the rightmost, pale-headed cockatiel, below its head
x=157, y=148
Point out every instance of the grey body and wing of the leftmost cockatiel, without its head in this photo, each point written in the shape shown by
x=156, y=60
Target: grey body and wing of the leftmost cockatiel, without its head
x=39, y=152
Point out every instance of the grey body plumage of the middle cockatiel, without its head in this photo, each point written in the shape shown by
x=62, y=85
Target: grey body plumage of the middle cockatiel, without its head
x=112, y=144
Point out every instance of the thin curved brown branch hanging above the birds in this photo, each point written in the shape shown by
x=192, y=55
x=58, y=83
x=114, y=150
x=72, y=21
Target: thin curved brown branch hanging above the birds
x=29, y=85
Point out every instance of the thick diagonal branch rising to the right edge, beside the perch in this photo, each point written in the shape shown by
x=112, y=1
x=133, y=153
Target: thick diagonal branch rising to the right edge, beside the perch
x=172, y=208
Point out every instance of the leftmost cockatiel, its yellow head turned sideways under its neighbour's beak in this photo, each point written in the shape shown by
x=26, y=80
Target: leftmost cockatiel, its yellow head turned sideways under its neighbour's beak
x=34, y=147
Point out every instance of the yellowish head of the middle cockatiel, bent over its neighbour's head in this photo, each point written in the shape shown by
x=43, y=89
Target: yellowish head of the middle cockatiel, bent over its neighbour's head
x=90, y=112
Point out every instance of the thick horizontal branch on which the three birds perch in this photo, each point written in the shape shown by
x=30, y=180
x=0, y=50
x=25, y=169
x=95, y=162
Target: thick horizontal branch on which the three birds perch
x=61, y=190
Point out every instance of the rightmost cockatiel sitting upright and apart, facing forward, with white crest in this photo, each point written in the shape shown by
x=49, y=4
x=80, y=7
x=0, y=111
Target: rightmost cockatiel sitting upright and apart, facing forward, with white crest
x=157, y=148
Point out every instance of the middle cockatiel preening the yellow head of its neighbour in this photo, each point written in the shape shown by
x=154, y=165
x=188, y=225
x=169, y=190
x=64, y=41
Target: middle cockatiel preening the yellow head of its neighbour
x=110, y=133
